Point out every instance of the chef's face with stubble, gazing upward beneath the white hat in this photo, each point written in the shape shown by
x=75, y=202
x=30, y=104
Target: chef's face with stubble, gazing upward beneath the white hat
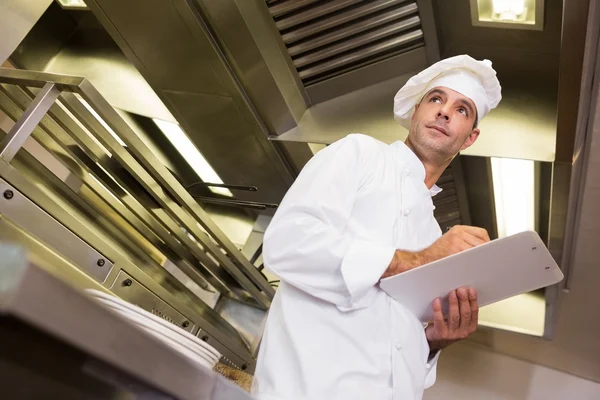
x=443, y=124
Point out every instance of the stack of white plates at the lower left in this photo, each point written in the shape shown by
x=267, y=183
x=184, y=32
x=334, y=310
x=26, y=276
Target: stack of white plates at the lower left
x=177, y=338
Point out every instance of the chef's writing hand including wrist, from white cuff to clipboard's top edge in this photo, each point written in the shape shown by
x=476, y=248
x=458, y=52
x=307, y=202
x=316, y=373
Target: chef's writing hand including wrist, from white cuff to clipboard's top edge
x=457, y=239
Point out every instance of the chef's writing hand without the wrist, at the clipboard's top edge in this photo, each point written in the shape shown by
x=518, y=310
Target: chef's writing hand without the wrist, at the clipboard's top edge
x=457, y=239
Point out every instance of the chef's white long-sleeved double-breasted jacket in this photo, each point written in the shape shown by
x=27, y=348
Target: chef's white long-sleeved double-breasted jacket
x=331, y=332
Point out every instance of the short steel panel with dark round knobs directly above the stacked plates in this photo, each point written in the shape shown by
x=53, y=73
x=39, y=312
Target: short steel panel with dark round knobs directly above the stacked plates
x=127, y=287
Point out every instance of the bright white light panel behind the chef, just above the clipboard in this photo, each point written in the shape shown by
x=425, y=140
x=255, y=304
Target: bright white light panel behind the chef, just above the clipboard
x=514, y=195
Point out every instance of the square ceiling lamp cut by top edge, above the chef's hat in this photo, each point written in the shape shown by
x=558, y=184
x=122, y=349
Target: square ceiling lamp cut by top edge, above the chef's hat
x=513, y=14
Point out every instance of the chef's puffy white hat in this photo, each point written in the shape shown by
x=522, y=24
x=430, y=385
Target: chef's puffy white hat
x=475, y=79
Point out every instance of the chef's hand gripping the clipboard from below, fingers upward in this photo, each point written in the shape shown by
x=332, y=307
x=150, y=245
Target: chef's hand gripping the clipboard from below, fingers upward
x=463, y=312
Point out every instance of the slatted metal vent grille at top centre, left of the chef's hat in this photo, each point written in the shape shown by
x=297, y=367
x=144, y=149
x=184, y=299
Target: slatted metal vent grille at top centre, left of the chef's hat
x=327, y=38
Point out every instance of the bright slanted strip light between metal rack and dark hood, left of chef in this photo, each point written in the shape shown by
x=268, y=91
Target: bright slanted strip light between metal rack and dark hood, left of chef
x=190, y=153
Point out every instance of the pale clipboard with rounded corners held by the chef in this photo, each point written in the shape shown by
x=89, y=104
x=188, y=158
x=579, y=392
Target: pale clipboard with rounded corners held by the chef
x=499, y=269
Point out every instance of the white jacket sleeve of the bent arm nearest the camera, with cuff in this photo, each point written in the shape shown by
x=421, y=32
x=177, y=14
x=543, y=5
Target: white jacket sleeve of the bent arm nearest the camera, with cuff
x=307, y=243
